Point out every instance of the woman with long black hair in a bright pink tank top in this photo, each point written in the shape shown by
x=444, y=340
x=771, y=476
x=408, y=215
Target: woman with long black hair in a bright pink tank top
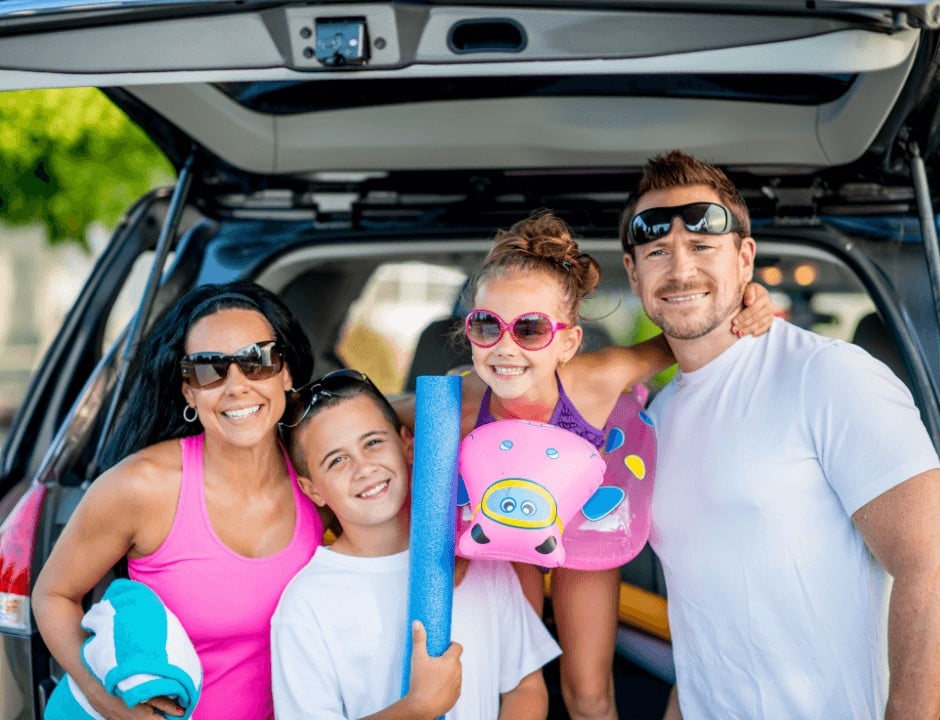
x=201, y=500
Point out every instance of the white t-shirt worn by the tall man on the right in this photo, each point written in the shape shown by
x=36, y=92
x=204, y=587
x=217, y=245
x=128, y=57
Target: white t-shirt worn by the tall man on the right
x=776, y=606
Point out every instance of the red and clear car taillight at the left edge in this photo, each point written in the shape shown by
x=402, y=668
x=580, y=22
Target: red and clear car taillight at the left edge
x=17, y=535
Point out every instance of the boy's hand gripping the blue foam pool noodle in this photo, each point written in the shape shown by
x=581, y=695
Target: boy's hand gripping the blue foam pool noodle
x=435, y=681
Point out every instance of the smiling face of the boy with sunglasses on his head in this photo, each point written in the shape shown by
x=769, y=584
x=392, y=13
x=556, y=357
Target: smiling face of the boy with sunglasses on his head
x=359, y=467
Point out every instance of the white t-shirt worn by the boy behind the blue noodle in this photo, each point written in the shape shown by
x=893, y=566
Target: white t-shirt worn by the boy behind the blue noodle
x=338, y=637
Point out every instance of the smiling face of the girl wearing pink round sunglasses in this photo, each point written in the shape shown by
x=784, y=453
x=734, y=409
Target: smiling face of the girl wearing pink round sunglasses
x=511, y=371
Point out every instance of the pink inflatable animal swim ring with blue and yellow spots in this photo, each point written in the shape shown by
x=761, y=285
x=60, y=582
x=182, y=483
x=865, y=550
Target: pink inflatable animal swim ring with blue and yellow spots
x=535, y=493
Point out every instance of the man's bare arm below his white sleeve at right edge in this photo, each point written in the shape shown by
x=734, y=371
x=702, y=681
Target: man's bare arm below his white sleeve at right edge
x=902, y=529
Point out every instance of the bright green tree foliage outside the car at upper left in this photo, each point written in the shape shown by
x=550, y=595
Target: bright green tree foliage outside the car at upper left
x=69, y=159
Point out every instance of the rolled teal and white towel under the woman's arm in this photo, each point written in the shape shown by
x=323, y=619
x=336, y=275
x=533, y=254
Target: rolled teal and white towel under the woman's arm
x=137, y=649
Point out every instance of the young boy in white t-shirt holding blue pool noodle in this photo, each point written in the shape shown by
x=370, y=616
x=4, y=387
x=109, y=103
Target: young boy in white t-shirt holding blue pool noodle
x=338, y=634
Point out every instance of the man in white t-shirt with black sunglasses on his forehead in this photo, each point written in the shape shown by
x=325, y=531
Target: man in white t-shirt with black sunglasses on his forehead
x=793, y=474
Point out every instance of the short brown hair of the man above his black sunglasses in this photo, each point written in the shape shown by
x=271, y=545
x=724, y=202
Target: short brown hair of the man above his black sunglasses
x=677, y=169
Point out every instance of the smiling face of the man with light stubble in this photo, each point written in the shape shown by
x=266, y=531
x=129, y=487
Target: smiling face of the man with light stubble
x=690, y=284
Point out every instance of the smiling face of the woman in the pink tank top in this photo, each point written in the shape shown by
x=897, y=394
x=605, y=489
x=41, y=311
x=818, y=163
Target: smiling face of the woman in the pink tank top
x=239, y=411
